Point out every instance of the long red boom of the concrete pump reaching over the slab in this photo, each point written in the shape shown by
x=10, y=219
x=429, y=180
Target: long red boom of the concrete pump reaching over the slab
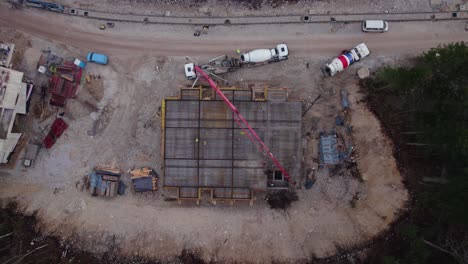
x=243, y=124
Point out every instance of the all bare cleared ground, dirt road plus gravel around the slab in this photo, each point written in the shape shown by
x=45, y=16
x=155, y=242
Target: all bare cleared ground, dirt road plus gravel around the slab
x=124, y=130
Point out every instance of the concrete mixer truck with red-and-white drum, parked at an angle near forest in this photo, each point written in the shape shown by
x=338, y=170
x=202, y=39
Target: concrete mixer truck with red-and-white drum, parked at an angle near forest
x=346, y=59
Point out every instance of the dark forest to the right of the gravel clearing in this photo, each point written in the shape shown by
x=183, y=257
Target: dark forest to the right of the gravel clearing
x=423, y=108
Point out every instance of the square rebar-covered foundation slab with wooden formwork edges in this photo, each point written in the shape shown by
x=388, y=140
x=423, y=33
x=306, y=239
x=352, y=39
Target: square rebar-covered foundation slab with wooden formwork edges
x=206, y=153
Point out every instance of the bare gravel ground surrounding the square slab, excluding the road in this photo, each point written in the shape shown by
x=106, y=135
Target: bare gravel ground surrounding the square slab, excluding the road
x=129, y=135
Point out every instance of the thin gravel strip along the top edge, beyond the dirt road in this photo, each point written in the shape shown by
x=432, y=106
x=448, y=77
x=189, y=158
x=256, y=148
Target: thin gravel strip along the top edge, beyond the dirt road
x=253, y=7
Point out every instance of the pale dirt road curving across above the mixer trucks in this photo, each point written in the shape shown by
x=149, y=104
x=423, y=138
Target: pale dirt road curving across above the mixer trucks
x=302, y=40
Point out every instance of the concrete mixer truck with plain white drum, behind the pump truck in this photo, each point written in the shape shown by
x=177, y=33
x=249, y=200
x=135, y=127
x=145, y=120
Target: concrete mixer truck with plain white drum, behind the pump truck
x=262, y=56
